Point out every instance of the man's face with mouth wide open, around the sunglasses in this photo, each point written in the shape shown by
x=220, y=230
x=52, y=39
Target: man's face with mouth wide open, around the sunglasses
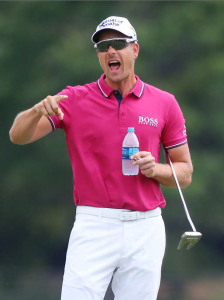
x=117, y=64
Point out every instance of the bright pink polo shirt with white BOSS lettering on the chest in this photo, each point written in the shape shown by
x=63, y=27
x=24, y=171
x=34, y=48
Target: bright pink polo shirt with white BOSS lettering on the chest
x=95, y=126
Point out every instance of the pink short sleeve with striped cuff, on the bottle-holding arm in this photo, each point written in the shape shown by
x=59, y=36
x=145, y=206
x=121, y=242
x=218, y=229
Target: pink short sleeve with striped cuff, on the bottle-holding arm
x=174, y=132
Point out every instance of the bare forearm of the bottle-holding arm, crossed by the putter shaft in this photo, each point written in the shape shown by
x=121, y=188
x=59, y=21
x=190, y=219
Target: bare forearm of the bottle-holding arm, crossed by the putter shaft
x=163, y=174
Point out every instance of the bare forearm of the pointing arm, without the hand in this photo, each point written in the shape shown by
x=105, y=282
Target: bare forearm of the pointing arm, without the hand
x=24, y=126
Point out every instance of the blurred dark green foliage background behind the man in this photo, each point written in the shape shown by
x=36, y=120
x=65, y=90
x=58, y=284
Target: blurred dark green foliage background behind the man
x=46, y=46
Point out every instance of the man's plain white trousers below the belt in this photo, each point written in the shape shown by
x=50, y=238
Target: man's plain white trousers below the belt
x=101, y=248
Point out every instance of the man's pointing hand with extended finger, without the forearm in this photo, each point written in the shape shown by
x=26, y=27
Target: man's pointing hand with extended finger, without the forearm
x=49, y=106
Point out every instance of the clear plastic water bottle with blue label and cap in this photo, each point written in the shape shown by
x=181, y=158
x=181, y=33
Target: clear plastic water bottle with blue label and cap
x=129, y=147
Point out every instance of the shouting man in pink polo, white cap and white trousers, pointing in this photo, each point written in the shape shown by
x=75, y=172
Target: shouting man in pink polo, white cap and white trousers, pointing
x=119, y=231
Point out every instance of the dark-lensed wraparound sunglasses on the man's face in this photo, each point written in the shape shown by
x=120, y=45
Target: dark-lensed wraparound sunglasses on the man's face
x=117, y=44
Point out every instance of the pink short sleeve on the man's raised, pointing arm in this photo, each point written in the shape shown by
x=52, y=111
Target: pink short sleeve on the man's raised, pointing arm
x=64, y=105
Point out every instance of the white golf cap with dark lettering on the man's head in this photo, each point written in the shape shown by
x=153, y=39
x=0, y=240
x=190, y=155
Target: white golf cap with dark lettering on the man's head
x=116, y=23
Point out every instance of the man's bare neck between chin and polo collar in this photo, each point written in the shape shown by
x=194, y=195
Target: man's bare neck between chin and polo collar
x=124, y=86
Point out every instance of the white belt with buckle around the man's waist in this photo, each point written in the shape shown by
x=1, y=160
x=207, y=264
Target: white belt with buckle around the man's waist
x=120, y=214
